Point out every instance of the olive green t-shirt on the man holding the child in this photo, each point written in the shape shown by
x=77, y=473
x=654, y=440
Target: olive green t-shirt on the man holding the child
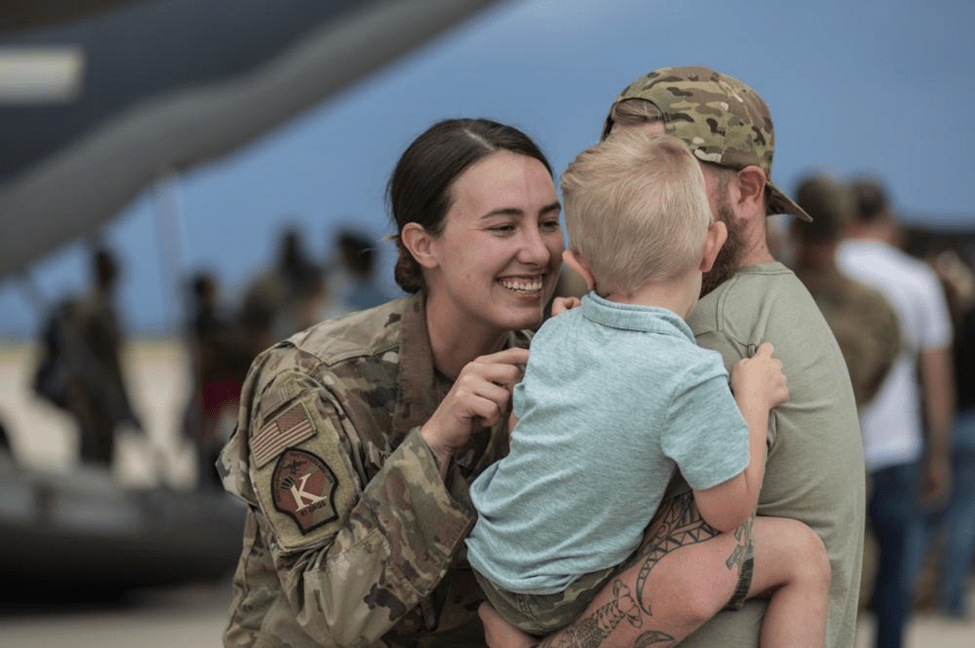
x=814, y=471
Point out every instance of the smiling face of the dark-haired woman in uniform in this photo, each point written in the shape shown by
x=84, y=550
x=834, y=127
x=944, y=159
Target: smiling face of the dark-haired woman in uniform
x=500, y=251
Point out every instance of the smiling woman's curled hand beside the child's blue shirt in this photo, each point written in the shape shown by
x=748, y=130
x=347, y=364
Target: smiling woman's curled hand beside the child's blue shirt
x=482, y=391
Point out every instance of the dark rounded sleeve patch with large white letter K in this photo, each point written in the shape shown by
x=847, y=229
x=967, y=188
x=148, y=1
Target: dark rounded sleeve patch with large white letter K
x=303, y=488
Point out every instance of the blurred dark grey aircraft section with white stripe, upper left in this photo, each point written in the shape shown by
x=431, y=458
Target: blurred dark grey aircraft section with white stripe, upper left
x=98, y=98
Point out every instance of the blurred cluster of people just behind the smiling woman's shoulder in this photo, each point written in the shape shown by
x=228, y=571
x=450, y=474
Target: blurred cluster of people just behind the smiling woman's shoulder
x=289, y=296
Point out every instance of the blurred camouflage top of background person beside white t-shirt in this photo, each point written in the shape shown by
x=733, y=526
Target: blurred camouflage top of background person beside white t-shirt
x=864, y=324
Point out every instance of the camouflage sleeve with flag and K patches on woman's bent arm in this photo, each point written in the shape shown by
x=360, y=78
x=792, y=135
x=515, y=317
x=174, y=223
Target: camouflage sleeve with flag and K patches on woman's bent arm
x=355, y=548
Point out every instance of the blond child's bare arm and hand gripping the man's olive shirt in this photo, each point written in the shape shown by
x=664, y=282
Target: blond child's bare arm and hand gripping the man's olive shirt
x=759, y=385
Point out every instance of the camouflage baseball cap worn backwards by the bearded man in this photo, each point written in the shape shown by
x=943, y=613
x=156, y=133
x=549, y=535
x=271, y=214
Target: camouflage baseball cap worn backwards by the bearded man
x=723, y=121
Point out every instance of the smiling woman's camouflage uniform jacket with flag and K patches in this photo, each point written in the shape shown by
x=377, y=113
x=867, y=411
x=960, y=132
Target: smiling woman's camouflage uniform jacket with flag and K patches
x=352, y=538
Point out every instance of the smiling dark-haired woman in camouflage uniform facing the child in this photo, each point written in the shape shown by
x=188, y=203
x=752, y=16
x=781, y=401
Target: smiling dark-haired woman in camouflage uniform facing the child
x=359, y=436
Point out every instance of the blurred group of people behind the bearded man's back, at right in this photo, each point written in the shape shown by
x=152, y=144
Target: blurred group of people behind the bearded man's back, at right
x=909, y=356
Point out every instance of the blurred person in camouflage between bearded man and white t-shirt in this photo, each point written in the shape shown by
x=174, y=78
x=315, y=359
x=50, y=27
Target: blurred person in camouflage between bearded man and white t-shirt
x=861, y=318
